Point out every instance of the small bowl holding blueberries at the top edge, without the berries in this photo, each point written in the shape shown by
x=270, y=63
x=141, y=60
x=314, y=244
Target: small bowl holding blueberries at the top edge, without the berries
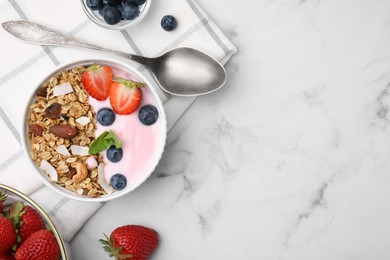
x=95, y=17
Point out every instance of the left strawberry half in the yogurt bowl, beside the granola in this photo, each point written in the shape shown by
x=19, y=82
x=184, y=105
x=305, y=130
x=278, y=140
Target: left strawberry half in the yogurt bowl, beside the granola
x=97, y=81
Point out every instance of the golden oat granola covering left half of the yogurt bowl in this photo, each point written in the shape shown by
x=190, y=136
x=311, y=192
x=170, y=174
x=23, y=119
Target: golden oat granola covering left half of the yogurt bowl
x=44, y=114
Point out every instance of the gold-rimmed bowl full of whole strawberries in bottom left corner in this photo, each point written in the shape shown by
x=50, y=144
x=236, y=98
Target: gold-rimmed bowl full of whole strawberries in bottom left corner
x=26, y=231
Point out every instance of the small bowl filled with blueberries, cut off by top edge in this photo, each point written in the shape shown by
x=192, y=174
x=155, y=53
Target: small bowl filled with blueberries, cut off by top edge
x=116, y=14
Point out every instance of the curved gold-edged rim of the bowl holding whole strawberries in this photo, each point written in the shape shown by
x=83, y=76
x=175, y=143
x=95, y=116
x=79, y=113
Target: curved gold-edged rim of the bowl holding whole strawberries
x=41, y=211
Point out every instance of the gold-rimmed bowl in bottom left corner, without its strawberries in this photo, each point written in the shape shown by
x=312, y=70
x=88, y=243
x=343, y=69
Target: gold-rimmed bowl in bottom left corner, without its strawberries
x=14, y=195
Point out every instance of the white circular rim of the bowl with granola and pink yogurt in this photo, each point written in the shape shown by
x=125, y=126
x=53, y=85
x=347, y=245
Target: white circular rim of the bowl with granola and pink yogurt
x=84, y=62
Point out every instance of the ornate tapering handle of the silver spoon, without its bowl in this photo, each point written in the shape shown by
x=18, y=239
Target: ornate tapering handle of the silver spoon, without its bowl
x=35, y=33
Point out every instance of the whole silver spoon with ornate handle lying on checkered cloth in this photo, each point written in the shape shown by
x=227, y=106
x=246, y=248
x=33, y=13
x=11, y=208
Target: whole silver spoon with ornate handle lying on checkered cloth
x=182, y=71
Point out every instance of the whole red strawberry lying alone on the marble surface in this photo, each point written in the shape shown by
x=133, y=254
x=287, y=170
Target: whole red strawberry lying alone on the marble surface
x=131, y=242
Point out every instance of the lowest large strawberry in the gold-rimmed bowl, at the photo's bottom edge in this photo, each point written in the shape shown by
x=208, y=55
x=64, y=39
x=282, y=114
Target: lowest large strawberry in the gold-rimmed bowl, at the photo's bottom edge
x=38, y=246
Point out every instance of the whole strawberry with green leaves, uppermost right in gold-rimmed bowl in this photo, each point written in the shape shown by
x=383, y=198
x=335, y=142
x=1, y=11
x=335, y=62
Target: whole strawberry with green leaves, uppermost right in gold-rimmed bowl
x=26, y=219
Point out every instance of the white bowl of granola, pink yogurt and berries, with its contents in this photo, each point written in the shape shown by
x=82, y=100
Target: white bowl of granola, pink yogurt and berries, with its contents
x=94, y=130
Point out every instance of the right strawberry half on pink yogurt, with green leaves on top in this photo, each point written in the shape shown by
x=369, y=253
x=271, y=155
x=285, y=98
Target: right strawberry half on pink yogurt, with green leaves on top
x=125, y=96
